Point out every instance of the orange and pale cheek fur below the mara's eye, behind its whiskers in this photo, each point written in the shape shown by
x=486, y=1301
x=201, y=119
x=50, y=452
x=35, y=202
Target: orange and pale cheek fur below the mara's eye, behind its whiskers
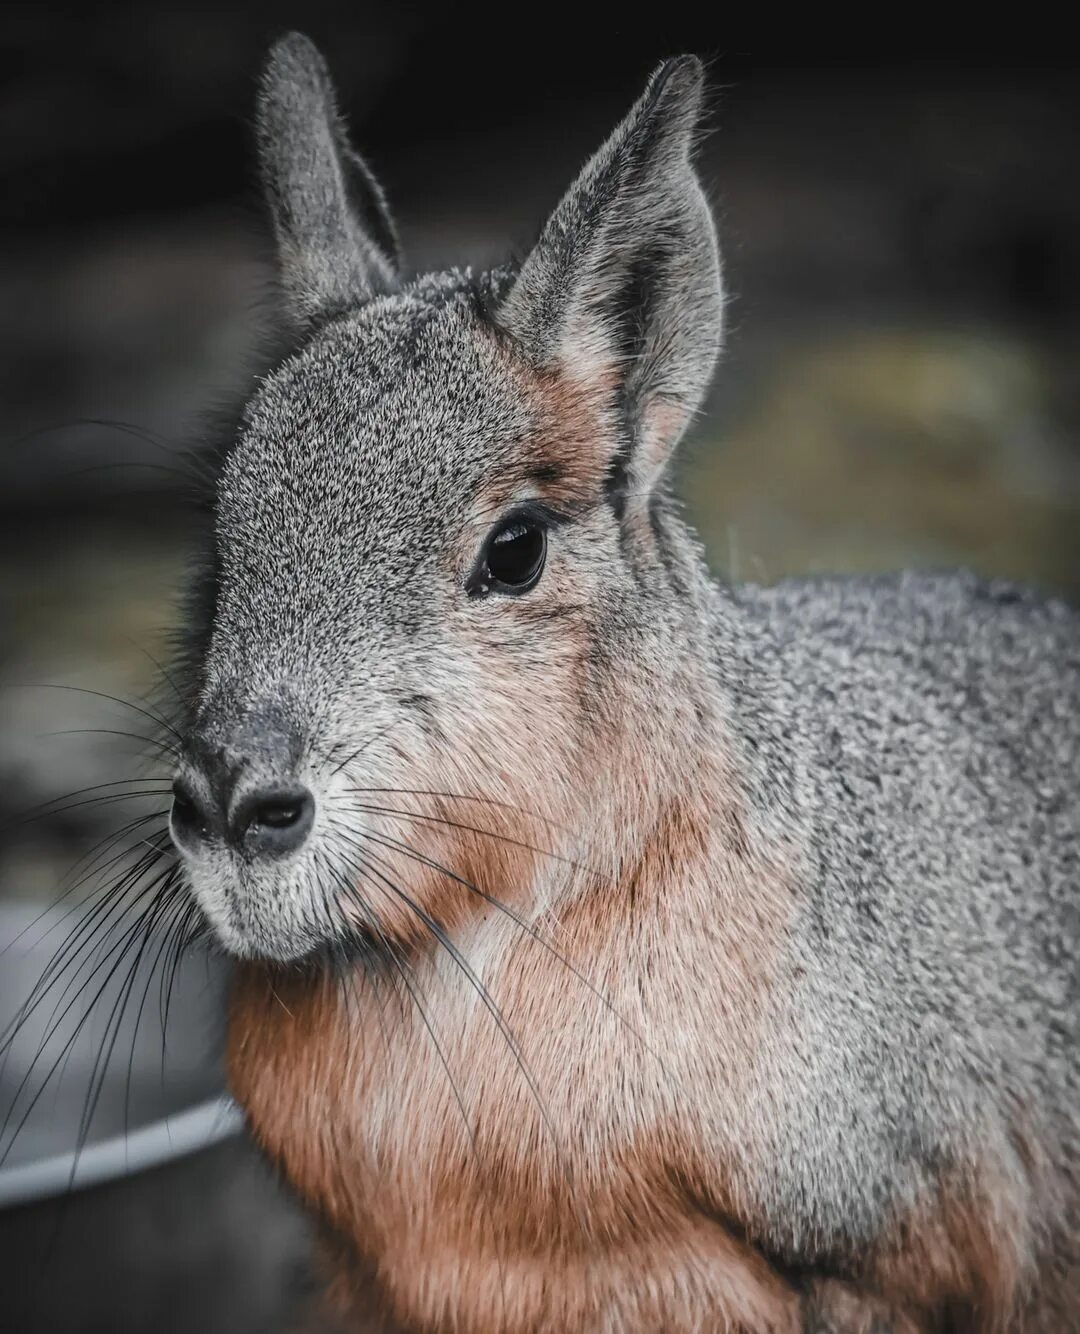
x=478, y=812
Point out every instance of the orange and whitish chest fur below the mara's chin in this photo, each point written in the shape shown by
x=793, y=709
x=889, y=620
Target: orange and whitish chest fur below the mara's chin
x=514, y=1141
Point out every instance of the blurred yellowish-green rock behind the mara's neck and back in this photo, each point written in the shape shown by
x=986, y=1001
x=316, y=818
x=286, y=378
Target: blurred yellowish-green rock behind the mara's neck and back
x=871, y=449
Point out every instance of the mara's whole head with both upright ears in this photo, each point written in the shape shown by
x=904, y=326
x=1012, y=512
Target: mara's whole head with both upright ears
x=442, y=557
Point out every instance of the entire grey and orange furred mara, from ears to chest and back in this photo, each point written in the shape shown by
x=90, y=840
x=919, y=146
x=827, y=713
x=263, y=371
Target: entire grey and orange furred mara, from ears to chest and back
x=663, y=956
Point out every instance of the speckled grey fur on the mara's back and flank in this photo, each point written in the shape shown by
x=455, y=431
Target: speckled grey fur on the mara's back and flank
x=919, y=736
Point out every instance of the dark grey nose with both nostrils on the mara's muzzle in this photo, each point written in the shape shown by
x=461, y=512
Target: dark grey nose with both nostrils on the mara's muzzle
x=222, y=801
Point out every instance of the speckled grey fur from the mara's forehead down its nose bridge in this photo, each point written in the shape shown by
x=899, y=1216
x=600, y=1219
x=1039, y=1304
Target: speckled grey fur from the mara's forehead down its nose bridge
x=357, y=465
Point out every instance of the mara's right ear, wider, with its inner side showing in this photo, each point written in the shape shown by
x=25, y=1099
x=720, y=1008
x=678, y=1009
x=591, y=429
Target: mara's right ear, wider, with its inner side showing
x=623, y=286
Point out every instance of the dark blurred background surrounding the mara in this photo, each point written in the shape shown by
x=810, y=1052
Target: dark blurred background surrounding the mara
x=902, y=238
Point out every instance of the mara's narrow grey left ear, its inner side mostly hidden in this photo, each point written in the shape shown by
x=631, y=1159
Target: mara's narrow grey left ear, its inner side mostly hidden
x=337, y=242
